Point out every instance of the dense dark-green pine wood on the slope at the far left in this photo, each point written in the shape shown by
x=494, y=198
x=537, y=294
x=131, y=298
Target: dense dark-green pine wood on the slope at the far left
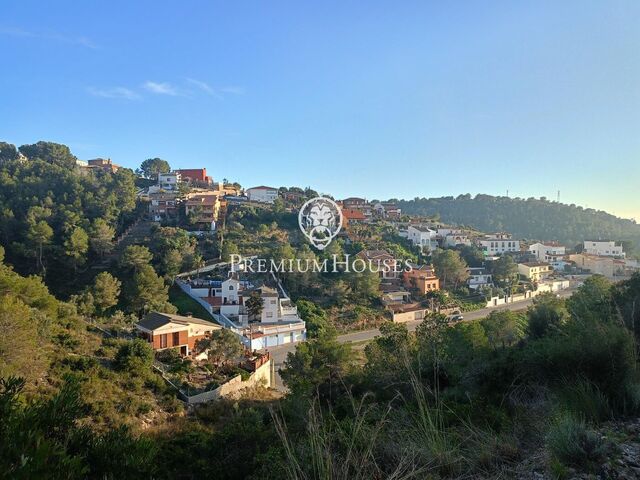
x=55, y=219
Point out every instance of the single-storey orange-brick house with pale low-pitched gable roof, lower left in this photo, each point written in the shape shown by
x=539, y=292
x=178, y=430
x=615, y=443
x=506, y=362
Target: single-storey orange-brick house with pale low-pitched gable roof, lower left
x=166, y=330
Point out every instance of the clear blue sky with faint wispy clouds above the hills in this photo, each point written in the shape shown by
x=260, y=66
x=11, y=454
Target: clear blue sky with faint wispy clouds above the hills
x=374, y=99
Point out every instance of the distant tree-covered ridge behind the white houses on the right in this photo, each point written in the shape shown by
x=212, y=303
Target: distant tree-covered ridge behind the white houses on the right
x=531, y=218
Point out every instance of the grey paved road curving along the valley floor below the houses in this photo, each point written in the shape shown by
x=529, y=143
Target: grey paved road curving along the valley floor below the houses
x=279, y=354
